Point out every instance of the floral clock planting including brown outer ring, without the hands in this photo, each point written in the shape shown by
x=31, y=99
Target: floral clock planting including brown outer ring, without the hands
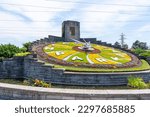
x=70, y=54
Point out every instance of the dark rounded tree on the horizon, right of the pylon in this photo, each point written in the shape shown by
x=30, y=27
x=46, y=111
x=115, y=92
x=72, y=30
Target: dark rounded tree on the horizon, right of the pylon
x=138, y=44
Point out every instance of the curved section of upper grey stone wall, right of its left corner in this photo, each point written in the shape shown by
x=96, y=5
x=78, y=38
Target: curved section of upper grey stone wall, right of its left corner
x=34, y=69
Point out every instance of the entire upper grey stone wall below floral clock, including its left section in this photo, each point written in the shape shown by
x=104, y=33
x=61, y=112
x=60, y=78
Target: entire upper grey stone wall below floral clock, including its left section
x=29, y=67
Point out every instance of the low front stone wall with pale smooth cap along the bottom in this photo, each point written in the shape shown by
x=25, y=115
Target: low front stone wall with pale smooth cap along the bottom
x=8, y=91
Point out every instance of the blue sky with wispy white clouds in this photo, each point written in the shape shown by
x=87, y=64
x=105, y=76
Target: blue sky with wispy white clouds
x=28, y=20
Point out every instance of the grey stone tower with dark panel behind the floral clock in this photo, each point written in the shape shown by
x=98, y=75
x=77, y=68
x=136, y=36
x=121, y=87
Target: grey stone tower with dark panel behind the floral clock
x=71, y=29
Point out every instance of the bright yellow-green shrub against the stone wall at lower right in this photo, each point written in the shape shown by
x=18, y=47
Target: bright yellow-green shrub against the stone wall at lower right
x=137, y=82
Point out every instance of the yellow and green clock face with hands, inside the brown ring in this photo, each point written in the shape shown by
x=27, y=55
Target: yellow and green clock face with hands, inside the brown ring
x=73, y=52
